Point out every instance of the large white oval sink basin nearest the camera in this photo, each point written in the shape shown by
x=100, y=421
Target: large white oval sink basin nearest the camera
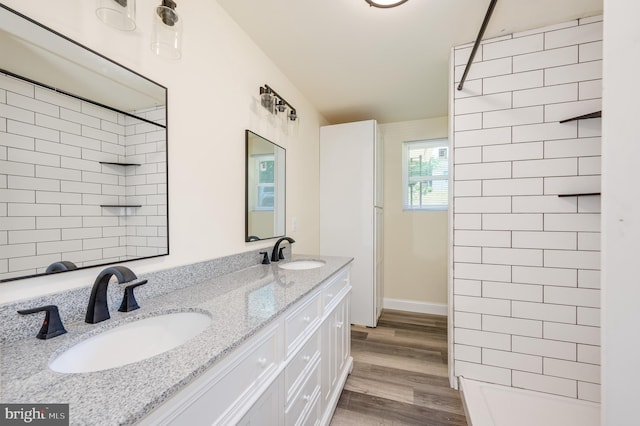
x=131, y=342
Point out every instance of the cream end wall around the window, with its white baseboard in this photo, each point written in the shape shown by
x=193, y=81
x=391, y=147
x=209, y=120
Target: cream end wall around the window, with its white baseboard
x=415, y=242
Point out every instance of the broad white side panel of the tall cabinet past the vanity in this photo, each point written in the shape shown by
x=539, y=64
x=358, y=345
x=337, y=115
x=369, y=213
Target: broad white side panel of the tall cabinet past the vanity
x=347, y=200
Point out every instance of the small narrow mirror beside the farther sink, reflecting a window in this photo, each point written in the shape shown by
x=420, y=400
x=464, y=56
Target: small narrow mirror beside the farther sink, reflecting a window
x=265, y=188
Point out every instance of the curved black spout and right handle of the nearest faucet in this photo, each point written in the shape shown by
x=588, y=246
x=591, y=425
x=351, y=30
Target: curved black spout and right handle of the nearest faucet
x=98, y=309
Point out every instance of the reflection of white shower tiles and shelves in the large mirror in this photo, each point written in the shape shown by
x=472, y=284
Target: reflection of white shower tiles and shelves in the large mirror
x=52, y=183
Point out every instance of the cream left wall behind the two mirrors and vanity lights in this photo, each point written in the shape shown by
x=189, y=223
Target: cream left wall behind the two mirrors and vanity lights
x=212, y=99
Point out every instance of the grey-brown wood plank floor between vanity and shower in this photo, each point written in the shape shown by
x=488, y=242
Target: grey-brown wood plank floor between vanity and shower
x=400, y=374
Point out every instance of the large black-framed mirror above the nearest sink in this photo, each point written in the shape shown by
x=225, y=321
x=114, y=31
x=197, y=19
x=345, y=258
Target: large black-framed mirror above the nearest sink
x=83, y=156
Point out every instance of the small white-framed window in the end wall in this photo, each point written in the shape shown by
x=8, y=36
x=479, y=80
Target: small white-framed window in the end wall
x=425, y=174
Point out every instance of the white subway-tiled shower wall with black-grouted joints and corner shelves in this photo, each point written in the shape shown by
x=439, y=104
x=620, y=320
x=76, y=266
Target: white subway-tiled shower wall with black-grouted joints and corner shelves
x=526, y=262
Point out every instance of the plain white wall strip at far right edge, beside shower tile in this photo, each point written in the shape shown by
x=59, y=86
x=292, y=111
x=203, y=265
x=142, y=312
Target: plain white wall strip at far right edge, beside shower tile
x=620, y=209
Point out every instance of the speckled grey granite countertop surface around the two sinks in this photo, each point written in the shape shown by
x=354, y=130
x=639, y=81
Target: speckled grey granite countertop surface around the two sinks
x=124, y=395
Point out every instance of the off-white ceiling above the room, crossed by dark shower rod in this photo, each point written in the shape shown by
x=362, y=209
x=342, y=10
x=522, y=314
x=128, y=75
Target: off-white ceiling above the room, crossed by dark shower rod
x=356, y=62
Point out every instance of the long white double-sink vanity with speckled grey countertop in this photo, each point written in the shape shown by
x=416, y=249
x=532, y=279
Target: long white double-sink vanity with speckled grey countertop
x=266, y=343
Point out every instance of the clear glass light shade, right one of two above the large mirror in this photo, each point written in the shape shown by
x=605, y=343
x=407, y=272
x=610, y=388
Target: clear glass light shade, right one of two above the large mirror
x=166, y=40
